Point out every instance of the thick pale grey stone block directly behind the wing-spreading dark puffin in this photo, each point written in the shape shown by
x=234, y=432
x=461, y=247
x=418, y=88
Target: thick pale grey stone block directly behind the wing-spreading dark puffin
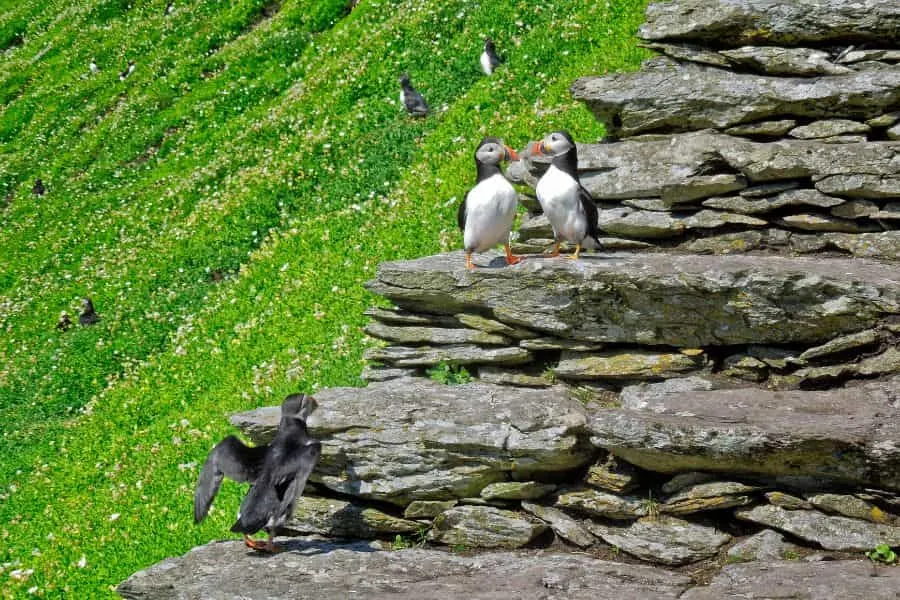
x=414, y=439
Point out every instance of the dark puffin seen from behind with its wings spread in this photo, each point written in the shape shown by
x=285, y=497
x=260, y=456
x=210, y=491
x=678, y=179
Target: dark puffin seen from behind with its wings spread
x=277, y=473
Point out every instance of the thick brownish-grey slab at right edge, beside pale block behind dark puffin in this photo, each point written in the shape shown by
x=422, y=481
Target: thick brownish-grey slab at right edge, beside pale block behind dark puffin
x=848, y=435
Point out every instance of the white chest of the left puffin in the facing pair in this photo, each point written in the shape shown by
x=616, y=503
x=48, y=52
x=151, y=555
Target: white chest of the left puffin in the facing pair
x=490, y=211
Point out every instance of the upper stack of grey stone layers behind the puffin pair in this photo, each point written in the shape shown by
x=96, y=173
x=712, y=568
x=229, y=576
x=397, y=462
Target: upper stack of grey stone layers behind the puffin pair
x=764, y=125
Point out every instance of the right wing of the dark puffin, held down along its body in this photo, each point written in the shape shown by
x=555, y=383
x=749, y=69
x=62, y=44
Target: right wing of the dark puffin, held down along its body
x=282, y=480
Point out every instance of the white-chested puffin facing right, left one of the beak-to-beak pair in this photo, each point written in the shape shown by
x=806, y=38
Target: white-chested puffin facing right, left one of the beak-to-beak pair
x=486, y=213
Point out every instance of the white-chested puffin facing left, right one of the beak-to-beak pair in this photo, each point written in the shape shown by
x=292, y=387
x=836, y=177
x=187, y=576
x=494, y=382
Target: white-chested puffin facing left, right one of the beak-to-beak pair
x=568, y=206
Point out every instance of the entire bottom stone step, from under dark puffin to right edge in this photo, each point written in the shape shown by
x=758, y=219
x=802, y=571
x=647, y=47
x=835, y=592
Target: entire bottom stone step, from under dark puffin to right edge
x=312, y=568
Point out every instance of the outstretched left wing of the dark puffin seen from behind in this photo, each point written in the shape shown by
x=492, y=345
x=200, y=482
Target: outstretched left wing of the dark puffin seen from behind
x=231, y=458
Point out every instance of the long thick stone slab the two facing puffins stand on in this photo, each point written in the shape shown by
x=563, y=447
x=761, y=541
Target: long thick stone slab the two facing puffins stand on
x=676, y=300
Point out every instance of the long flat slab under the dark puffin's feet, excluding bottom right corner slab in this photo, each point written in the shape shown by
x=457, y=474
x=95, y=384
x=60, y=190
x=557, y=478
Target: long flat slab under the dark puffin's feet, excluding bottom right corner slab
x=312, y=569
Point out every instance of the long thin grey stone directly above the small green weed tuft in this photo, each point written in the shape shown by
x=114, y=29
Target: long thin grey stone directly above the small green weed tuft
x=458, y=354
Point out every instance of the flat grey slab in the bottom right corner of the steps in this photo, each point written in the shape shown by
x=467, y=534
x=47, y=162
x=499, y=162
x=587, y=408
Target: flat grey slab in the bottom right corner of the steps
x=825, y=580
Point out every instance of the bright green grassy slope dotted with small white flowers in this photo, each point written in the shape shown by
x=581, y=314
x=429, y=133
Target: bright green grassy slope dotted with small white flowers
x=268, y=147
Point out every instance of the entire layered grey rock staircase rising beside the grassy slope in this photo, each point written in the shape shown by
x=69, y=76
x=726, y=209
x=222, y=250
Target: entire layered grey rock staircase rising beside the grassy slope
x=656, y=399
